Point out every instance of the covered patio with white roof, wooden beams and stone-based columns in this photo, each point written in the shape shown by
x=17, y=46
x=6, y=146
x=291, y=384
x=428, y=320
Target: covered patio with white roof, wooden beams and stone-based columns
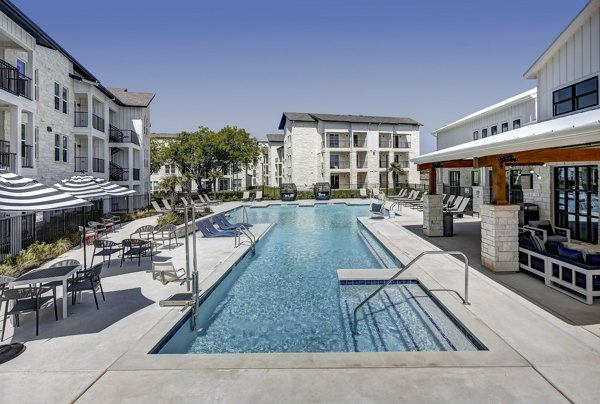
x=572, y=140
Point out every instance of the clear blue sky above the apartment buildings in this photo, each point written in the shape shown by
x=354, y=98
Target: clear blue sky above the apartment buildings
x=243, y=63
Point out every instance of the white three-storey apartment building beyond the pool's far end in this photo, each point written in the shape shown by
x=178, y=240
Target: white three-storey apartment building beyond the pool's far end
x=348, y=151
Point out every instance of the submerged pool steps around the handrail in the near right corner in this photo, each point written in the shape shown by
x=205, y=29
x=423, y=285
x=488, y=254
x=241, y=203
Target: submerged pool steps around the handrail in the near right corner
x=401, y=318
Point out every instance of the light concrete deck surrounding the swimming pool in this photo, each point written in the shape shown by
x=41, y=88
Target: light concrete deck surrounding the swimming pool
x=101, y=356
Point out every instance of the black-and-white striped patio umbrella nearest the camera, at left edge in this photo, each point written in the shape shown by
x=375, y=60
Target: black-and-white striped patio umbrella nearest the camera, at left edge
x=25, y=194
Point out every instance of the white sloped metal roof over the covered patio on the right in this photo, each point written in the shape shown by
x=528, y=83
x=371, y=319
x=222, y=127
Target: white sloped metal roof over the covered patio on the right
x=571, y=130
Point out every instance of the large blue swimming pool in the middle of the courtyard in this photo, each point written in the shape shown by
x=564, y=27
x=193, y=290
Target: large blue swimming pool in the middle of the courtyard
x=287, y=298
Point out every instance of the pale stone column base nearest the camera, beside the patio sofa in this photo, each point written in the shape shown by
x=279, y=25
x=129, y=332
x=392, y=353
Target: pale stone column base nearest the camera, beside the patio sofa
x=500, y=237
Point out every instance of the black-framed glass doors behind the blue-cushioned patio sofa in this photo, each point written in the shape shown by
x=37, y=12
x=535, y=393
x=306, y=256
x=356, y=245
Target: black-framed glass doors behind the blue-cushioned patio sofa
x=576, y=201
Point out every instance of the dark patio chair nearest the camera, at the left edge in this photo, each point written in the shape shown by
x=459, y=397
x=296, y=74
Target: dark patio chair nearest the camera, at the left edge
x=26, y=299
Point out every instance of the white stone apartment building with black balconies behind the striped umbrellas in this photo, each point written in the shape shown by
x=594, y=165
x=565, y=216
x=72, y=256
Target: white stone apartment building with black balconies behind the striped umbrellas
x=57, y=119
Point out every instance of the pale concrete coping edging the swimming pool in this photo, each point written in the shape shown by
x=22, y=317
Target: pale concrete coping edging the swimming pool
x=499, y=353
